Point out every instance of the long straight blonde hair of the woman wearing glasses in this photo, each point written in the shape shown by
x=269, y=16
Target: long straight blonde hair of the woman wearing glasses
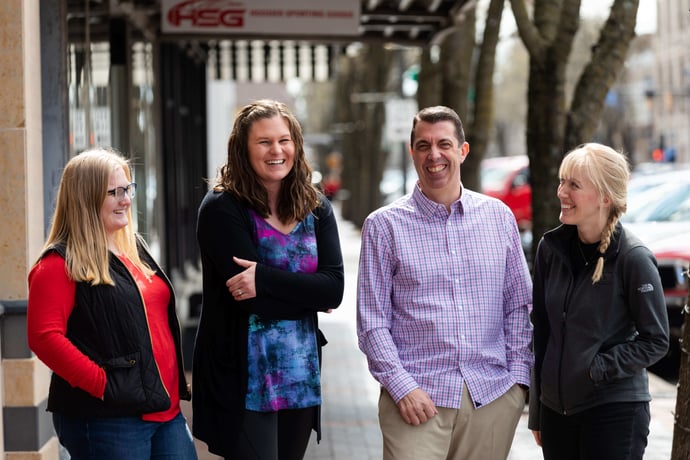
x=77, y=222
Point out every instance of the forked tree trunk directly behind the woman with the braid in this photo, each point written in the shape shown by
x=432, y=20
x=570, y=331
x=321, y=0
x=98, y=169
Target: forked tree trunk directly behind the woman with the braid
x=552, y=128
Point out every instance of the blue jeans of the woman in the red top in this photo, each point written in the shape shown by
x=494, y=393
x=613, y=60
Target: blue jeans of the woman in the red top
x=125, y=438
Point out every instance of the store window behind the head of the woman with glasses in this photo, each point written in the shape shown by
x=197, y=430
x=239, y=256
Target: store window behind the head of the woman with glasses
x=94, y=112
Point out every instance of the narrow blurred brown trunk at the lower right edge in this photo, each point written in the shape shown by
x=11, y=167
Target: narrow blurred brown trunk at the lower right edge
x=681, y=428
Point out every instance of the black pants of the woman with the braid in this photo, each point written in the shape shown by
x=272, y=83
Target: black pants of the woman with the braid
x=615, y=431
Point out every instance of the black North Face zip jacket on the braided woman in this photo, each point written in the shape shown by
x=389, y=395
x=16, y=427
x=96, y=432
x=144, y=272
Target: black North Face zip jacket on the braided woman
x=593, y=342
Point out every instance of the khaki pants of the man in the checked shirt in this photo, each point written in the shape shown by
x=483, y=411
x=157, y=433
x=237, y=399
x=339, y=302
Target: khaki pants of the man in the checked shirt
x=454, y=434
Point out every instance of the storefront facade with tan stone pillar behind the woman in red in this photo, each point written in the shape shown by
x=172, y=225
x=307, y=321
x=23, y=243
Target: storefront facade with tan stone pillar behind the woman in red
x=81, y=73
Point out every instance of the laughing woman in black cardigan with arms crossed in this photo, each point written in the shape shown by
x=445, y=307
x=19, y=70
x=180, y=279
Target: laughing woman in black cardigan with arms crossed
x=271, y=260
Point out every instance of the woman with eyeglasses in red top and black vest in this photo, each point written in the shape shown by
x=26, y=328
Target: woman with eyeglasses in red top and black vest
x=101, y=315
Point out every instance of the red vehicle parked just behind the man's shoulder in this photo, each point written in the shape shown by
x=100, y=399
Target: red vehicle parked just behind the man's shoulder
x=507, y=178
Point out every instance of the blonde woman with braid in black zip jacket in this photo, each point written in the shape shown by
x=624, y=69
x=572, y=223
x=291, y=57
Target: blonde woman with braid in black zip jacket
x=599, y=318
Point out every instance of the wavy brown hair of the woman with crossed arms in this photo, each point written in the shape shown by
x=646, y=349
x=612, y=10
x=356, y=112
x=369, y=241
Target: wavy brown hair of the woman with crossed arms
x=297, y=196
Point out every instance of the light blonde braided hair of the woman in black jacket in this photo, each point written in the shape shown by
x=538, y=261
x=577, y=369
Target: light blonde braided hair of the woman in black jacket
x=609, y=171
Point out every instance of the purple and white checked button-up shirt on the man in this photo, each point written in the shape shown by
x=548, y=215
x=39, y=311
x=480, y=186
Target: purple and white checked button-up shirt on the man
x=444, y=299
